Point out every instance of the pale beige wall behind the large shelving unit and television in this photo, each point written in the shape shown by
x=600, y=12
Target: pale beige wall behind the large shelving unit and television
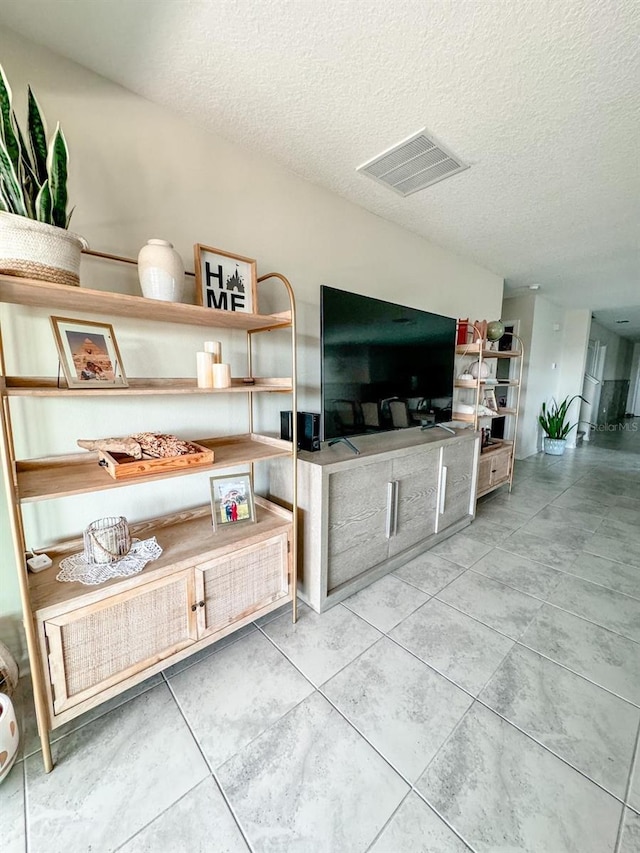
x=139, y=171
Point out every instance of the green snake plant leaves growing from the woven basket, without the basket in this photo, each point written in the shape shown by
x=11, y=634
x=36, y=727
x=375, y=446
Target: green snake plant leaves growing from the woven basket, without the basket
x=33, y=177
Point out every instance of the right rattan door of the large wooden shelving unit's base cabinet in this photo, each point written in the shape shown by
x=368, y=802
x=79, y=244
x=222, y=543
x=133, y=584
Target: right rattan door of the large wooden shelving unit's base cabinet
x=240, y=583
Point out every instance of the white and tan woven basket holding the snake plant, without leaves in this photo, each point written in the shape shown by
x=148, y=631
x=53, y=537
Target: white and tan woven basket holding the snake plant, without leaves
x=32, y=249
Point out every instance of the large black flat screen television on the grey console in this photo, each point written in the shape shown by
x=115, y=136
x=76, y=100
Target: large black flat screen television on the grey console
x=384, y=366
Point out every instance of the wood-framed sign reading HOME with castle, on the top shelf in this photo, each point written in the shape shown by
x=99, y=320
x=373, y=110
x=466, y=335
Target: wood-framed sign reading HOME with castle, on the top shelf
x=225, y=281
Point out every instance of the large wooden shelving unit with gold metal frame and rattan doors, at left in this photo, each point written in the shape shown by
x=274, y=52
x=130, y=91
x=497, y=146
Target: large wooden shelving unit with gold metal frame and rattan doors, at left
x=203, y=586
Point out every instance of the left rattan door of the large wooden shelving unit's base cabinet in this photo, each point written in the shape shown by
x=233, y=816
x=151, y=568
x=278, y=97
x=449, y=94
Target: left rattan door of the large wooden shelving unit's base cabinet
x=97, y=646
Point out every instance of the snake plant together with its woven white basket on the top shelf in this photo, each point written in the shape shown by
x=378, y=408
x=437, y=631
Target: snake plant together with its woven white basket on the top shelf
x=34, y=240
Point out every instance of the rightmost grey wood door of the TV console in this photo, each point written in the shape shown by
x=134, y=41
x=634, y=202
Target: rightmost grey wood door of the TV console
x=457, y=482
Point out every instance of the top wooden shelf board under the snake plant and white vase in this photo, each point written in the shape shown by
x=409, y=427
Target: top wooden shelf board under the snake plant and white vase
x=44, y=294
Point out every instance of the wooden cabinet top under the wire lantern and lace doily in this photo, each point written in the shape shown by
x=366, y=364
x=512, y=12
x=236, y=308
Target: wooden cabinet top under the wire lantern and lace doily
x=187, y=538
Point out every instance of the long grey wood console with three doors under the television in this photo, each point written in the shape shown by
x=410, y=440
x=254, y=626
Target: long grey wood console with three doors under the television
x=363, y=516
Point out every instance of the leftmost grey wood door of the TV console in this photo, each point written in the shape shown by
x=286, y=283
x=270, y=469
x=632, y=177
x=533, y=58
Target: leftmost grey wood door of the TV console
x=359, y=513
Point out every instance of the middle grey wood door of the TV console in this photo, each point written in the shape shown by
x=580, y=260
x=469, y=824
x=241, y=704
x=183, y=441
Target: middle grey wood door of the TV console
x=416, y=498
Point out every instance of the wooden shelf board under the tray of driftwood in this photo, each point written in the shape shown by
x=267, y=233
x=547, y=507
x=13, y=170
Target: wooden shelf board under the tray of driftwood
x=79, y=473
